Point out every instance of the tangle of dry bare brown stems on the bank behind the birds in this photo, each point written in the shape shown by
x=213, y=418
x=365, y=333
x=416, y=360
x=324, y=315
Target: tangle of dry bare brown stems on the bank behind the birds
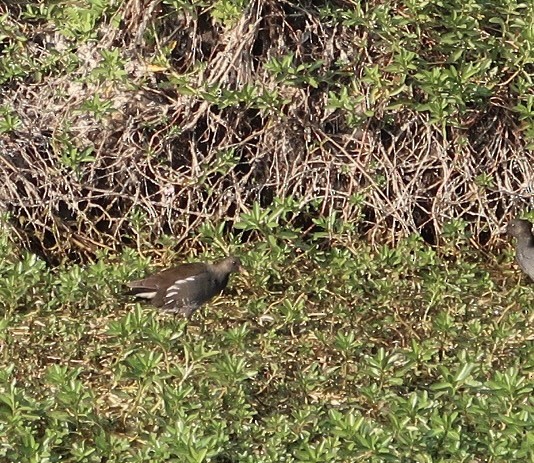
x=180, y=142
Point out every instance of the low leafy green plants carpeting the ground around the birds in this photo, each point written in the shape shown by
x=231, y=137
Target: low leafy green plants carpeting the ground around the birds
x=330, y=350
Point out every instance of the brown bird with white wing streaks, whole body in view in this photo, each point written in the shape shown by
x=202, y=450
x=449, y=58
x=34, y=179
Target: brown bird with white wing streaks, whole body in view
x=183, y=289
